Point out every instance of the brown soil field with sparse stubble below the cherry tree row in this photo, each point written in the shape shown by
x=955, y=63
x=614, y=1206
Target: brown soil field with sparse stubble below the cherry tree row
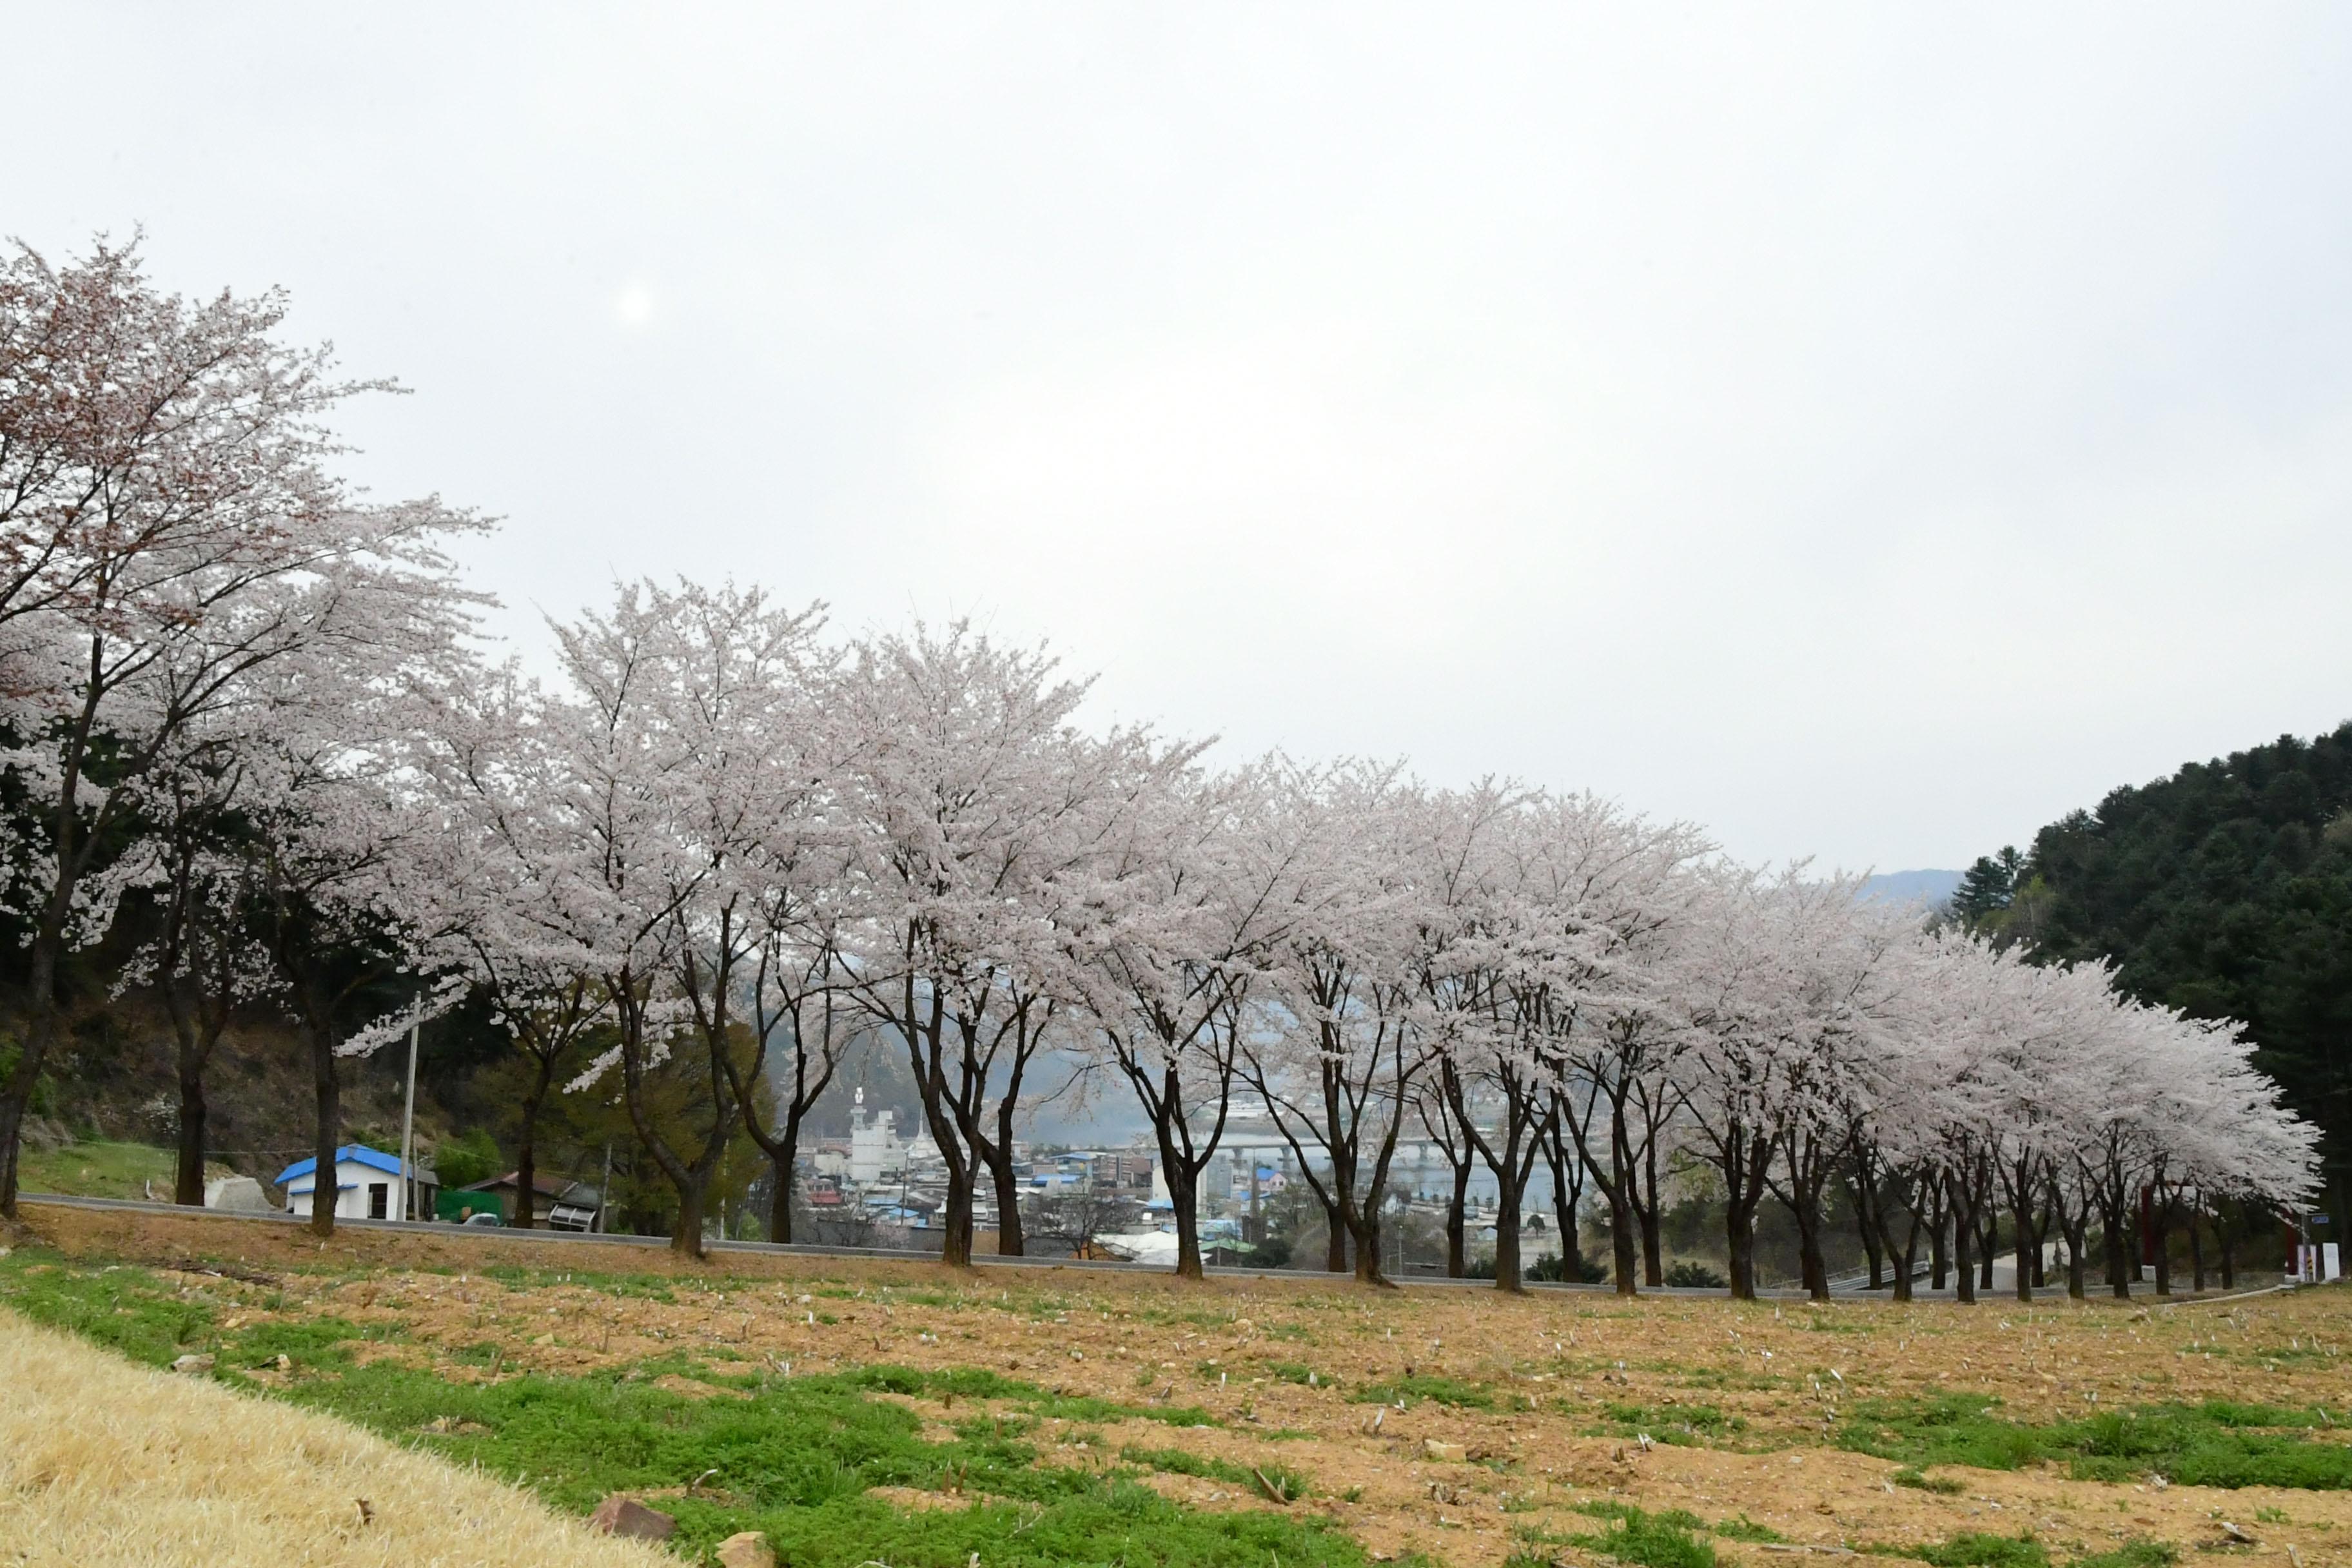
x=1572, y=1381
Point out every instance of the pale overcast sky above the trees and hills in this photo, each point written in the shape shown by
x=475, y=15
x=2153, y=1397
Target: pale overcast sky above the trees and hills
x=1864, y=431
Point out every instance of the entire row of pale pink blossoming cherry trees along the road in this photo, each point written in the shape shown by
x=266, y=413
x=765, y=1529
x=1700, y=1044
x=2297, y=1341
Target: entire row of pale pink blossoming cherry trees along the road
x=714, y=845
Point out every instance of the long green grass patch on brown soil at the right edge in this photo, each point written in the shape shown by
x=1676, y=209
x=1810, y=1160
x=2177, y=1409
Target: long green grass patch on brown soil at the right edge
x=2210, y=1445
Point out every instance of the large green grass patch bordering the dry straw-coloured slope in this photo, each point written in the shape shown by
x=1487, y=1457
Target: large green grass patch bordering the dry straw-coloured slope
x=794, y=1459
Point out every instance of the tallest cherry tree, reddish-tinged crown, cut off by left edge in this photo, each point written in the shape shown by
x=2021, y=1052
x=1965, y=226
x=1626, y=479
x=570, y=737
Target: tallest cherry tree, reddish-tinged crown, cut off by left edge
x=168, y=535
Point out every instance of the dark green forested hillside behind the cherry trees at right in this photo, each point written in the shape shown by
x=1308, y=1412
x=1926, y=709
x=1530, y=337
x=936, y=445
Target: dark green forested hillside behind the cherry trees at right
x=2224, y=890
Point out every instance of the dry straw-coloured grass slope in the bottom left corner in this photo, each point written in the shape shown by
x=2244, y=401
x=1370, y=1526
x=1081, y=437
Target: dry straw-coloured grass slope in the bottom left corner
x=105, y=1463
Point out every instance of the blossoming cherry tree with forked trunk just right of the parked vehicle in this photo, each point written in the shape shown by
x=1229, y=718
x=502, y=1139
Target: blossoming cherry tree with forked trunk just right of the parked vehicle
x=674, y=786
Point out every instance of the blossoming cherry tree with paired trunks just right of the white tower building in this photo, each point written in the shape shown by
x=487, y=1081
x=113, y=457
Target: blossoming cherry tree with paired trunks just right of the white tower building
x=987, y=829
